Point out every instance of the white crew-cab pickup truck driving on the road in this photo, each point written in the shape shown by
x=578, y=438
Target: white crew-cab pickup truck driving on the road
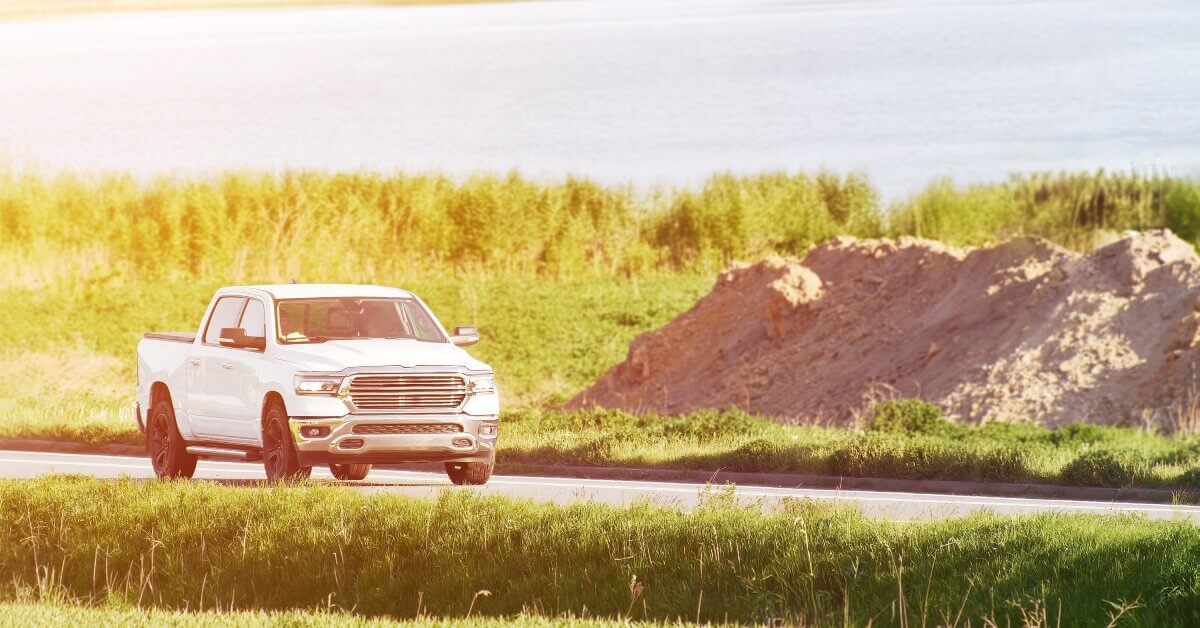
x=305, y=375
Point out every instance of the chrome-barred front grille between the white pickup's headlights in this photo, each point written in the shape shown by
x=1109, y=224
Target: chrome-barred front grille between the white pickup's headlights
x=401, y=393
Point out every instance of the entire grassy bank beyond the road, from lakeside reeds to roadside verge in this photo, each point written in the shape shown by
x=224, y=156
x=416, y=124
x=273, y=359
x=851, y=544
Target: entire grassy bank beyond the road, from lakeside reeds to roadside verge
x=560, y=277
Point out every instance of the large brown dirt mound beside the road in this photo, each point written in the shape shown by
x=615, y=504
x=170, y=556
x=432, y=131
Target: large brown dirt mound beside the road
x=1018, y=332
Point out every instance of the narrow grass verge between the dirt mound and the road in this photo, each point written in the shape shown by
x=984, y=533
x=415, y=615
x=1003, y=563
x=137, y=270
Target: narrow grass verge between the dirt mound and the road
x=1088, y=456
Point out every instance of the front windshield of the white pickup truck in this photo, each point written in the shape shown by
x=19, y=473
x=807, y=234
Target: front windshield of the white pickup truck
x=321, y=320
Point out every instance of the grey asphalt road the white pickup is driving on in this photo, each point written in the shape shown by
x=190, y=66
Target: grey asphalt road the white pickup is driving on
x=901, y=506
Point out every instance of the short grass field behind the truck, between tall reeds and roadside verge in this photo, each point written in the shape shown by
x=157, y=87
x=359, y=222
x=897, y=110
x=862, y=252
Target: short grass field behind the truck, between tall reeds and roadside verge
x=547, y=339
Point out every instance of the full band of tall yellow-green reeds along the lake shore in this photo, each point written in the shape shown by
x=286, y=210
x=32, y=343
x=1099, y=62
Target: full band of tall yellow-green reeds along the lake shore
x=363, y=226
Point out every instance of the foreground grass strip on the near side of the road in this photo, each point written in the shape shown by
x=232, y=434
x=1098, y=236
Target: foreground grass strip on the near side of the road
x=203, y=547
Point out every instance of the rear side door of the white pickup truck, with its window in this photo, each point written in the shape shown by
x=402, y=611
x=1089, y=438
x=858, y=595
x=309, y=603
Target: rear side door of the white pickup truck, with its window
x=213, y=391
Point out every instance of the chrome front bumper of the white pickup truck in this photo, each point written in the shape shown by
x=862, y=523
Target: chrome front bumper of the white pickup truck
x=341, y=440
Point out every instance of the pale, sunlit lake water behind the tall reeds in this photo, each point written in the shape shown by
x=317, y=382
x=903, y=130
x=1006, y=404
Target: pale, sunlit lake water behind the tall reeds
x=646, y=92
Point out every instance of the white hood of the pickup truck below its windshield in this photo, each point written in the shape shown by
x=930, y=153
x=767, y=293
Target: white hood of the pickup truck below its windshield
x=339, y=355
